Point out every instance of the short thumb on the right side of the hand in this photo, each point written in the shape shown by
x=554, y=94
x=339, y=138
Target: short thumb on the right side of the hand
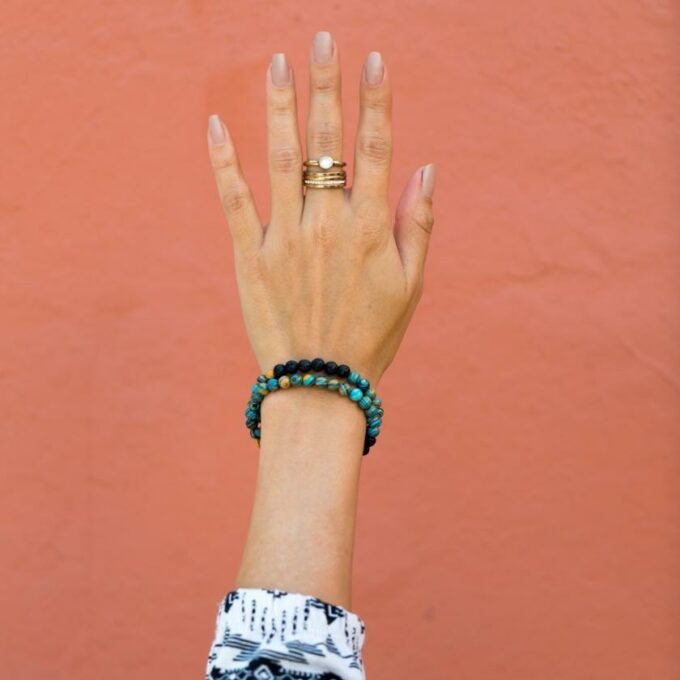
x=414, y=222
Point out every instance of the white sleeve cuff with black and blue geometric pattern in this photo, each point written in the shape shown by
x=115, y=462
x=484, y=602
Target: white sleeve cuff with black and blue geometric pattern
x=263, y=634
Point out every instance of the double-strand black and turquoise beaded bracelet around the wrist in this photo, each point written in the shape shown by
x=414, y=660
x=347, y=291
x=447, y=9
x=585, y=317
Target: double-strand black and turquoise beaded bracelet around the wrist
x=299, y=374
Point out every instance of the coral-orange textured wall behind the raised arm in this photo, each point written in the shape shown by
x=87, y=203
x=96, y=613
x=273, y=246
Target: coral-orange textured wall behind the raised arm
x=523, y=504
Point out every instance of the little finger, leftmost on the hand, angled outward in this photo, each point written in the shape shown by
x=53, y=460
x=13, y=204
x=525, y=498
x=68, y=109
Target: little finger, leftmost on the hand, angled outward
x=237, y=200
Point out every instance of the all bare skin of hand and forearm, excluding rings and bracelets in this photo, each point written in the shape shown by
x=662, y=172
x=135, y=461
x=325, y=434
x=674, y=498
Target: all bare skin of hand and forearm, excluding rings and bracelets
x=332, y=274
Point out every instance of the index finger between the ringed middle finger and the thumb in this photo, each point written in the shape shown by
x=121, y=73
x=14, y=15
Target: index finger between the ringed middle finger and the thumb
x=373, y=151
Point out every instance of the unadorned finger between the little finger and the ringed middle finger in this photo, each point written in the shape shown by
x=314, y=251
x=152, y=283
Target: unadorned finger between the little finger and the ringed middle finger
x=285, y=153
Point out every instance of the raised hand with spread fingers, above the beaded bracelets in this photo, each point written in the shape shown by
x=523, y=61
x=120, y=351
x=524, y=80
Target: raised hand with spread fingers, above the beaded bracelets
x=332, y=274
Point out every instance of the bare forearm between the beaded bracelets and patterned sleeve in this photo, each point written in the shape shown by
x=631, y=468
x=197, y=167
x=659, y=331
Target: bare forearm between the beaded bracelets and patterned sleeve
x=301, y=536
